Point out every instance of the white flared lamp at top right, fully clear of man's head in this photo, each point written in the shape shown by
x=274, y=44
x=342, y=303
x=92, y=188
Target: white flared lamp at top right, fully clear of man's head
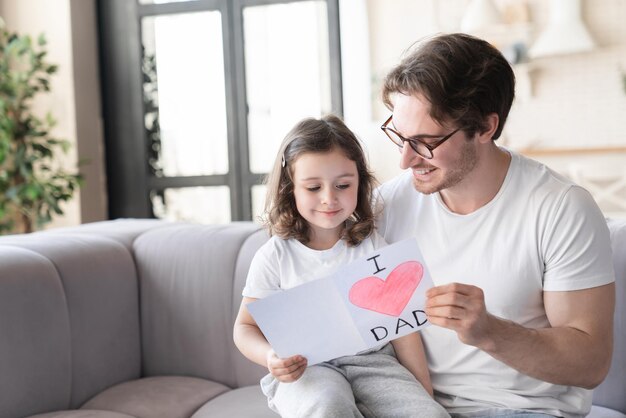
x=566, y=33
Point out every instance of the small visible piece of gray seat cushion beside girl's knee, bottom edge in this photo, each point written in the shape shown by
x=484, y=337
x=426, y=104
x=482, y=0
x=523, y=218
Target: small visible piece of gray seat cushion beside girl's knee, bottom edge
x=246, y=402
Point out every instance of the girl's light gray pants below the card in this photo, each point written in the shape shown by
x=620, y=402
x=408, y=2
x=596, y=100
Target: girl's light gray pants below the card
x=367, y=385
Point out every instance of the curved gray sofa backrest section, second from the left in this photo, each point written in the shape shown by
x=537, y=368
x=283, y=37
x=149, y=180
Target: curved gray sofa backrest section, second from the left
x=99, y=279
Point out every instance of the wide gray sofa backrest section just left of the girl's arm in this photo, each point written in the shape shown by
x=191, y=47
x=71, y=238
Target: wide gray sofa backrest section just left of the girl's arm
x=186, y=286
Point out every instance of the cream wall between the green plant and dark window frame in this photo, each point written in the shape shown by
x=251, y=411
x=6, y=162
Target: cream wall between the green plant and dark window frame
x=74, y=99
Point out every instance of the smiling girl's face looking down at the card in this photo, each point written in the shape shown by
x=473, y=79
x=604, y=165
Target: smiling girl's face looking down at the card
x=325, y=189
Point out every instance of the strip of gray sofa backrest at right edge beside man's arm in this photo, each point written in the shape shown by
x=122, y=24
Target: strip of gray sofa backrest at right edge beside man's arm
x=612, y=392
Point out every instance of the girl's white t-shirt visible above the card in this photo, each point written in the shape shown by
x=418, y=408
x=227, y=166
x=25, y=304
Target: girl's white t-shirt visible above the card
x=282, y=264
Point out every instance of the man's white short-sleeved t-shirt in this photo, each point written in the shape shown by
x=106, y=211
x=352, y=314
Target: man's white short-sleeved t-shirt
x=540, y=233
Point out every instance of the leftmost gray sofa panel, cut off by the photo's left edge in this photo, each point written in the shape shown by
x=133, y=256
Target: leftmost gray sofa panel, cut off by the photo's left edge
x=35, y=352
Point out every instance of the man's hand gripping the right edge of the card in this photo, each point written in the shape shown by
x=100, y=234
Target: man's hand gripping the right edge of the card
x=461, y=308
